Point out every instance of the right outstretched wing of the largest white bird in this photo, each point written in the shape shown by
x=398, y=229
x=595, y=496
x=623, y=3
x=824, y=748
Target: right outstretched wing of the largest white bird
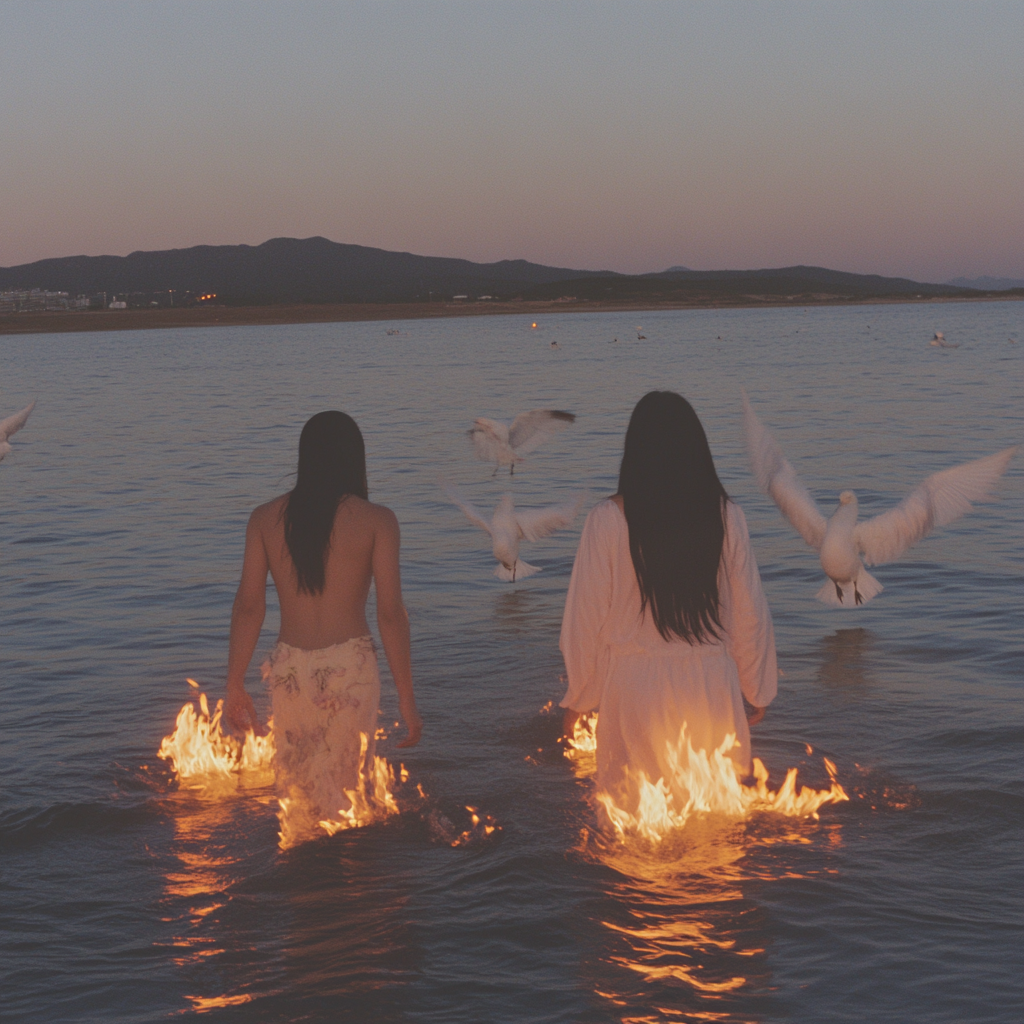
x=937, y=501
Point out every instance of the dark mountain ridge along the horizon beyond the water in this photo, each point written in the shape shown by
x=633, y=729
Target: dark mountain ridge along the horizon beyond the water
x=318, y=271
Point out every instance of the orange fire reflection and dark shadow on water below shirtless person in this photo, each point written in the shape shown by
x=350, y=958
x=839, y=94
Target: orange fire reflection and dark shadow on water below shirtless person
x=293, y=934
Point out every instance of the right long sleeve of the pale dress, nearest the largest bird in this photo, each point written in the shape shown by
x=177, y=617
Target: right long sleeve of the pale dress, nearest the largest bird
x=751, y=637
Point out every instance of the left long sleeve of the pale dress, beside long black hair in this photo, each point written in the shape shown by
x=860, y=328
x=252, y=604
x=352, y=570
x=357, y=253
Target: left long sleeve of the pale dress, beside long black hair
x=587, y=606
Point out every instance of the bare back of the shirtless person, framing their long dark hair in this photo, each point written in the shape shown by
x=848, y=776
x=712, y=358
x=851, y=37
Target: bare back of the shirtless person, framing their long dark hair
x=338, y=613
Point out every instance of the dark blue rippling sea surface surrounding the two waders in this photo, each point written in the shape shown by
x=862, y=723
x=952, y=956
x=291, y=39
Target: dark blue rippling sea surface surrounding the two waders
x=125, y=899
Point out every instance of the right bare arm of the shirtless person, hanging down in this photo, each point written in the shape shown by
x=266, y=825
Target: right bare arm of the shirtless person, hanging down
x=393, y=620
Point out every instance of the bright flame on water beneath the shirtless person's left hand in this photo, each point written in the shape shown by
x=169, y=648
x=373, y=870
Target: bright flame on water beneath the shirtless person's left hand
x=203, y=755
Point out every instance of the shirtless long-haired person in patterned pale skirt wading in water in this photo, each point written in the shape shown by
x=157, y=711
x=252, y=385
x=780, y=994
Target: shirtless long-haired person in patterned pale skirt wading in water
x=323, y=544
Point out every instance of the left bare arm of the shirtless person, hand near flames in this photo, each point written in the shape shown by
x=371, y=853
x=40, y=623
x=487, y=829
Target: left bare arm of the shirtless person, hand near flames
x=247, y=621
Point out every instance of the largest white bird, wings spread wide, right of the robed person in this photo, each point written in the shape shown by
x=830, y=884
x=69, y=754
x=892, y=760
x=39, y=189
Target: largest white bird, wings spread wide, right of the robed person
x=846, y=545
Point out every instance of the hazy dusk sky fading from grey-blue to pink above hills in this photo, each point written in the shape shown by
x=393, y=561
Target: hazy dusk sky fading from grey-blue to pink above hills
x=874, y=138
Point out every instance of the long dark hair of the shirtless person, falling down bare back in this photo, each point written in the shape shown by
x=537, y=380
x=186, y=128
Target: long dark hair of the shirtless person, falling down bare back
x=332, y=465
